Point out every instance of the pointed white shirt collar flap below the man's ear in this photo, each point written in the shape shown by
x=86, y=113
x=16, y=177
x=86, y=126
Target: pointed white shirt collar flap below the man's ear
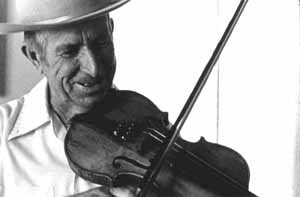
x=35, y=111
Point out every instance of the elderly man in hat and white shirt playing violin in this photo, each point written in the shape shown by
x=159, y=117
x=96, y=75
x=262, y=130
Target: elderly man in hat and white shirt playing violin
x=70, y=42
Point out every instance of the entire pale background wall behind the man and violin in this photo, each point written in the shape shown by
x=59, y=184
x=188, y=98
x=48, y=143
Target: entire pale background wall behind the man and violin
x=249, y=102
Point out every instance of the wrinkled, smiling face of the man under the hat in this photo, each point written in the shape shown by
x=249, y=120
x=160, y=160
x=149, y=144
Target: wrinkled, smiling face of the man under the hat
x=79, y=64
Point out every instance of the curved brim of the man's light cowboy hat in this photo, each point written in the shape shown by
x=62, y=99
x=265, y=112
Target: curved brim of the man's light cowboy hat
x=7, y=28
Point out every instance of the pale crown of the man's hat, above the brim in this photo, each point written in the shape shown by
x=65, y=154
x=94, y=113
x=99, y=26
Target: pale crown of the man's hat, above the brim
x=36, y=11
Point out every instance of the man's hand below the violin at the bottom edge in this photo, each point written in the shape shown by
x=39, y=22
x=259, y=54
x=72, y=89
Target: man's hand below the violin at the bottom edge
x=107, y=192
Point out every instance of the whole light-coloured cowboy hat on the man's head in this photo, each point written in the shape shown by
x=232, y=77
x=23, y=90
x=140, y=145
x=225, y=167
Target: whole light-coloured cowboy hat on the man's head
x=37, y=14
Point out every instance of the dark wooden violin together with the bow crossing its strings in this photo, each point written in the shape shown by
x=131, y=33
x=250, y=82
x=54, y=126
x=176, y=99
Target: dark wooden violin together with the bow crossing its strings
x=126, y=140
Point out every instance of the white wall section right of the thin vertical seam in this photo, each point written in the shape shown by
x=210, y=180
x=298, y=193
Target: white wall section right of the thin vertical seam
x=259, y=85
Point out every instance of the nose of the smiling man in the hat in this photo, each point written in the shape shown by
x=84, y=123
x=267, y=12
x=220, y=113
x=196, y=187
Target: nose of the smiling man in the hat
x=88, y=62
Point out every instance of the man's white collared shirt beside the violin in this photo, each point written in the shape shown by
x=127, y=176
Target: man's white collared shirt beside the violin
x=32, y=158
